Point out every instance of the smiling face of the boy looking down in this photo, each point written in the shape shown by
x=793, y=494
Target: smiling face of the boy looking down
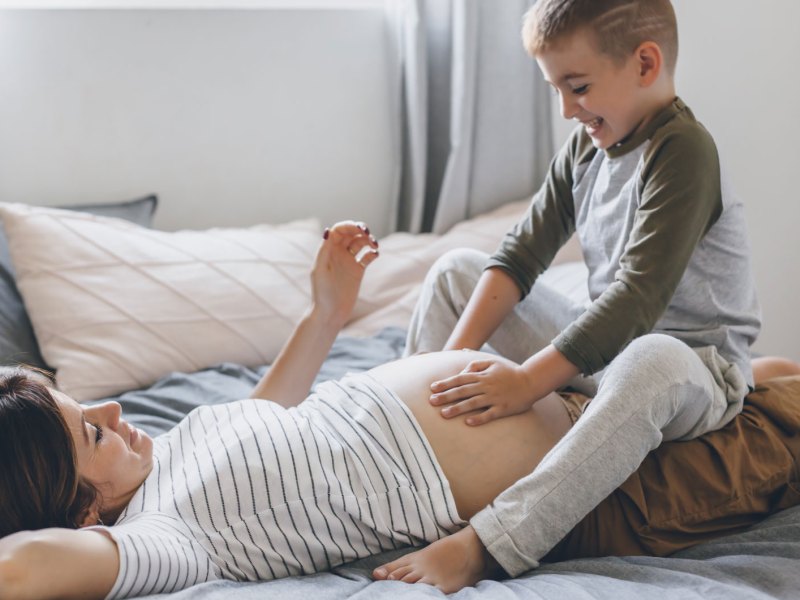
x=604, y=96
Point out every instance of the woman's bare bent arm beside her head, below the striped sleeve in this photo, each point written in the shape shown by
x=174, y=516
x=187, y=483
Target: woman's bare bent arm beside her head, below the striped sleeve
x=57, y=563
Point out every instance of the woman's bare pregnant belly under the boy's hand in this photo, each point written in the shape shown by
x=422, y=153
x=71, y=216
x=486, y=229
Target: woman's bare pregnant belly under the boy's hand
x=479, y=462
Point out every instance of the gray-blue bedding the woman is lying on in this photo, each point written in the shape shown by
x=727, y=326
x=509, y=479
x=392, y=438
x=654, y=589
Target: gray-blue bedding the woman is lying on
x=763, y=562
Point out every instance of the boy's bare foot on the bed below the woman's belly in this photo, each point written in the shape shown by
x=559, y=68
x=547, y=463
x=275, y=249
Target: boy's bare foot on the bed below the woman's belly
x=454, y=562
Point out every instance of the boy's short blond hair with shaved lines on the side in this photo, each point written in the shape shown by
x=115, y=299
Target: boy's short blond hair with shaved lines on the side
x=619, y=26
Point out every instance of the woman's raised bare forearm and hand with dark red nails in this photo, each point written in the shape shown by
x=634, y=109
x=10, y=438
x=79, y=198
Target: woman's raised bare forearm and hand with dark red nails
x=346, y=251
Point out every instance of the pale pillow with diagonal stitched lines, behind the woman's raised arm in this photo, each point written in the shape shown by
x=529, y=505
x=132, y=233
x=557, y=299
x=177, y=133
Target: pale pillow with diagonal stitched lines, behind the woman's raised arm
x=115, y=306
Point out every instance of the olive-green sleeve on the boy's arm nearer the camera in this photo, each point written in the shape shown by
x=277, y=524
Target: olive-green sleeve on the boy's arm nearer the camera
x=680, y=201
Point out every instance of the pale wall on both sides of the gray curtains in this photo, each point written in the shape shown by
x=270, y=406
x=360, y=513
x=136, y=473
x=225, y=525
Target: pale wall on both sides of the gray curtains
x=235, y=117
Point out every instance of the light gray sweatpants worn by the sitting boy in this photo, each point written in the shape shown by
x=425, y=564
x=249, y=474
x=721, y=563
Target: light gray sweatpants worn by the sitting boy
x=656, y=389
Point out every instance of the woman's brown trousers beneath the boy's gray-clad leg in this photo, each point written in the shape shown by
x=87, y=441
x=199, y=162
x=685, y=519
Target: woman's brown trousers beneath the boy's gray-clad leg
x=690, y=492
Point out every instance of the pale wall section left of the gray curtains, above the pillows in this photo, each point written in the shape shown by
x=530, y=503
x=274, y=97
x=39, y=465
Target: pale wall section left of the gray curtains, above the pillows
x=231, y=117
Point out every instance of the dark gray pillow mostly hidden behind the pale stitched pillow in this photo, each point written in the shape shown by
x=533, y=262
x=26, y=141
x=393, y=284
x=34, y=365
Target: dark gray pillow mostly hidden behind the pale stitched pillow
x=17, y=342
